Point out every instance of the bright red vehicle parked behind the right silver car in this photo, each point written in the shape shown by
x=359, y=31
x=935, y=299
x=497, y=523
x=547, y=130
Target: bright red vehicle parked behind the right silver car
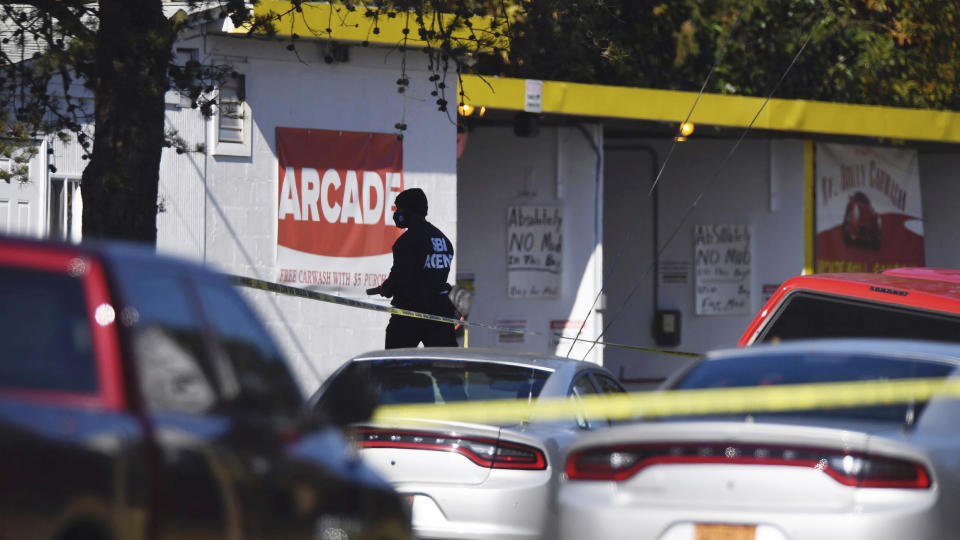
x=919, y=303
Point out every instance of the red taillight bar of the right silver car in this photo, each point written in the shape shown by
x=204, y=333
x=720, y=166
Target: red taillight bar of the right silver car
x=618, y=463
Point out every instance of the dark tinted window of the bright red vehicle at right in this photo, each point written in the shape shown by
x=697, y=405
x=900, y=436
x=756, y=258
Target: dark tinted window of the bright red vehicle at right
x=808, y=315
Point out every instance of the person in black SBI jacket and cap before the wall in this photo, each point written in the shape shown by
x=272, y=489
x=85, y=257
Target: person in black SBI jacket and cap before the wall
x=418, y=279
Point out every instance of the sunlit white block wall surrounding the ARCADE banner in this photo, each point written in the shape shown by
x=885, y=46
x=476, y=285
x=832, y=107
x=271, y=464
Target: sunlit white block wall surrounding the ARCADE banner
x=223, y=209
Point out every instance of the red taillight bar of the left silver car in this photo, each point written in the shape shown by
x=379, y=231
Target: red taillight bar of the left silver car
x=482, y=451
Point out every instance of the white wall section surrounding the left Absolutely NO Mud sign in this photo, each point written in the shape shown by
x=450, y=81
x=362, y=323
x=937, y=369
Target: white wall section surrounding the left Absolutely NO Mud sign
x=557, y=168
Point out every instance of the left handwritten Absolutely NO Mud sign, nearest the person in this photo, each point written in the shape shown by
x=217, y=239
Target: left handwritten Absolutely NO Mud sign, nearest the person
x=534, y=251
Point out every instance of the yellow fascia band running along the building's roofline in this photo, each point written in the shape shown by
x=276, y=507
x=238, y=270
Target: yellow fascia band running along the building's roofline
x=600, y=101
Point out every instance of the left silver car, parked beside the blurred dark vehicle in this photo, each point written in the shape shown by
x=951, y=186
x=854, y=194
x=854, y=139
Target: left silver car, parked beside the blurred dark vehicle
x=466, y=480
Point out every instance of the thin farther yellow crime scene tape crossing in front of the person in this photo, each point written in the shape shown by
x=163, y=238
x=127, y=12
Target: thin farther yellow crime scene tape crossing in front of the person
x=334, y=299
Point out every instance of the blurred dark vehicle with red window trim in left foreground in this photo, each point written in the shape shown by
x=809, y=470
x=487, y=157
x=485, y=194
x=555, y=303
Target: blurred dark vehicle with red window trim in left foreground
x=141, y=398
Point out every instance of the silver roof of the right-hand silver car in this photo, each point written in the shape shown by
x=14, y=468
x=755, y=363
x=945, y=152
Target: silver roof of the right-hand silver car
x=913, y=349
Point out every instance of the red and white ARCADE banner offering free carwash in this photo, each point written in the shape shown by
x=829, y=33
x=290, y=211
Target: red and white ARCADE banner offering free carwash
x=335, y=225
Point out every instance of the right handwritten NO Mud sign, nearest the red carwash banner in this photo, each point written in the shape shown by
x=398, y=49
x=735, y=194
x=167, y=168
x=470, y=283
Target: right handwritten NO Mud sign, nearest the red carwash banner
x=722, y=261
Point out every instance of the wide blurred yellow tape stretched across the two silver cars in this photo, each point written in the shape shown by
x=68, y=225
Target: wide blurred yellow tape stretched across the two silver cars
x=754, y=399
